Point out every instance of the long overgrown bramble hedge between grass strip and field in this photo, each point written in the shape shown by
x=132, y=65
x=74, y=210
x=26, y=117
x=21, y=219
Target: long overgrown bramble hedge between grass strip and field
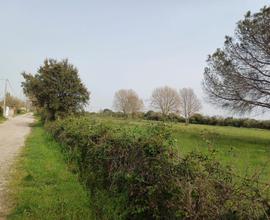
x=134, y=173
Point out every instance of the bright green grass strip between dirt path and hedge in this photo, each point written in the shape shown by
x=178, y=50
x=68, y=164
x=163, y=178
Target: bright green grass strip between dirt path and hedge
x=43, y=186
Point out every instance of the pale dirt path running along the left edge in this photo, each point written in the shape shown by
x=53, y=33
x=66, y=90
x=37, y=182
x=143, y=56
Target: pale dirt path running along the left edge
x=12, y=136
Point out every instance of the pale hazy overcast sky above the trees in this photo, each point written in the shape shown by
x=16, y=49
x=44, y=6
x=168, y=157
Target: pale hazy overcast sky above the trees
x=115, y=44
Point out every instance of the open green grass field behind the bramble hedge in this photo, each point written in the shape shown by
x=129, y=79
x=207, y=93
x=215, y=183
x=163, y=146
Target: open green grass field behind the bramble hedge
x=246, y=150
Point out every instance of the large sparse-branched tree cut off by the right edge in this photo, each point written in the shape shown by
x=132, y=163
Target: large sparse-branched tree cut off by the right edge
x=237, y=77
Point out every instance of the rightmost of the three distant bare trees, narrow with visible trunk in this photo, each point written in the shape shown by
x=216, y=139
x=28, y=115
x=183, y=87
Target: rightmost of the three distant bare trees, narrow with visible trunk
x=190, y=104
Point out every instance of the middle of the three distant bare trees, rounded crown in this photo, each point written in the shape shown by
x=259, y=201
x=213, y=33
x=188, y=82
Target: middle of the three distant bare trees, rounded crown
x=165, y=99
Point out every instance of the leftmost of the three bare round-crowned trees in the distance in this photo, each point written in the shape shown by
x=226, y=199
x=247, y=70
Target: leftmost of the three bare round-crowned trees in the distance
x=127, y=101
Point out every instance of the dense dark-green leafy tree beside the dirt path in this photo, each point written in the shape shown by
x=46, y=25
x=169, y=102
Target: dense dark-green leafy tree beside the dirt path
x=56, y=88
